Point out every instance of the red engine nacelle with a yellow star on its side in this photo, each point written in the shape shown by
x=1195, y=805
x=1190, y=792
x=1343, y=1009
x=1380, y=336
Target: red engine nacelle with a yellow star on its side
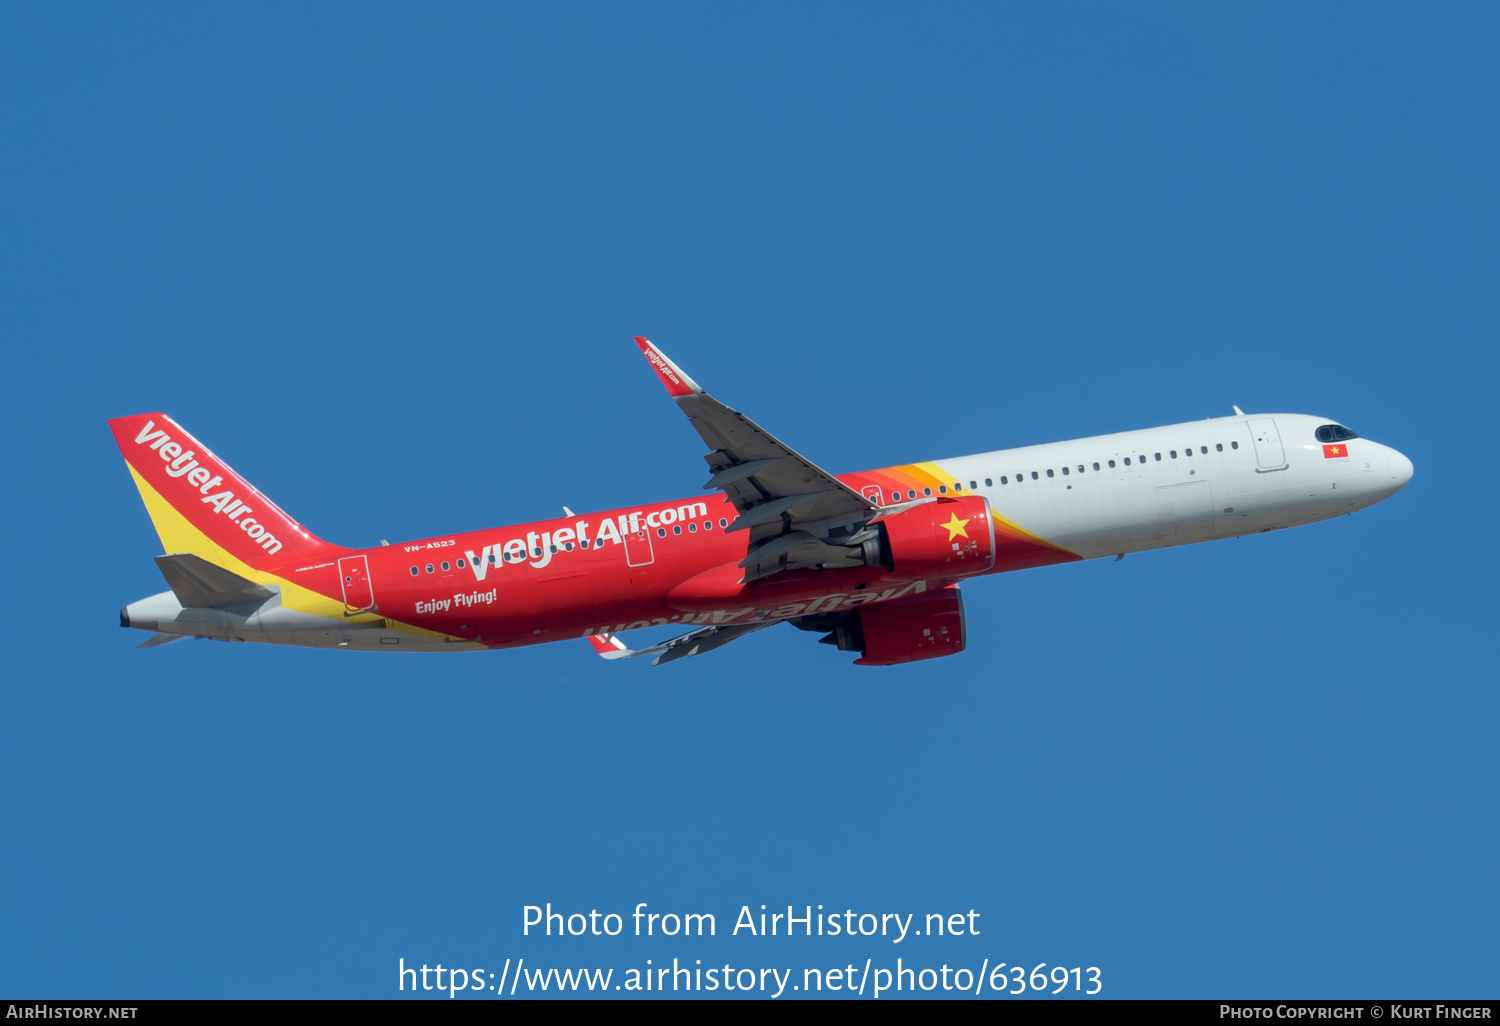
x=944, y=539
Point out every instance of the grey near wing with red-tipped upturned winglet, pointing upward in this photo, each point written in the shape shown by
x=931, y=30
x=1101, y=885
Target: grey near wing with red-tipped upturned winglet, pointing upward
x=797, y=517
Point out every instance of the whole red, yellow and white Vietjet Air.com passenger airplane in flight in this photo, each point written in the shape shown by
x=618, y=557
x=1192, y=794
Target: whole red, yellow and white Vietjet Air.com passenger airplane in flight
x=872, y=562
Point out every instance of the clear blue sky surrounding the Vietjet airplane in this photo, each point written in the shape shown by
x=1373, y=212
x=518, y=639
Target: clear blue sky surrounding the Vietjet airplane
x=388, y=262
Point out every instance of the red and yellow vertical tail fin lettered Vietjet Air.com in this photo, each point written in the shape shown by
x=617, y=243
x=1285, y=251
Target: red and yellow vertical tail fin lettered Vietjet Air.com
x=202, y=506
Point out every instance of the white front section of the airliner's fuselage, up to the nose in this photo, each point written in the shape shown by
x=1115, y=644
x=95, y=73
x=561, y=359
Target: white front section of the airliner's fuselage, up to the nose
x=1192, y=482
